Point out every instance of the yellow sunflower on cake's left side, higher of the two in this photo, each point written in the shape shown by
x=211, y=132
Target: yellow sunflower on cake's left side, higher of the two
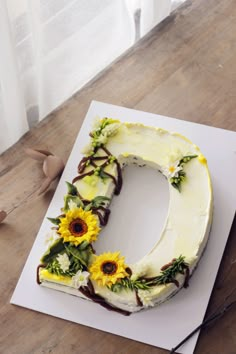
x=78, y=225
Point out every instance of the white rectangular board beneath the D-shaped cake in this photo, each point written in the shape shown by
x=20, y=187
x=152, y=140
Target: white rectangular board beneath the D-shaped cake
x=164, y=326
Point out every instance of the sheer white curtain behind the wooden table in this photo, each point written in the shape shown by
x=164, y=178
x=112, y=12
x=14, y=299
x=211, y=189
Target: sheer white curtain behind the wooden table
x=51, y=48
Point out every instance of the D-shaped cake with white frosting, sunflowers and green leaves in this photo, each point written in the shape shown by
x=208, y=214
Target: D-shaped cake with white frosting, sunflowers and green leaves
x=70, y=263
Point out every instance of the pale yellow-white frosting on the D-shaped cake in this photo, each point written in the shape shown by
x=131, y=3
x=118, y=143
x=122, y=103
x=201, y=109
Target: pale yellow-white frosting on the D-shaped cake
x=189, y=217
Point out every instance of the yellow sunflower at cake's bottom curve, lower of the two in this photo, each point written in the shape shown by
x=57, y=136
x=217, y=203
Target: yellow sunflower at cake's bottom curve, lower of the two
x=108, y=268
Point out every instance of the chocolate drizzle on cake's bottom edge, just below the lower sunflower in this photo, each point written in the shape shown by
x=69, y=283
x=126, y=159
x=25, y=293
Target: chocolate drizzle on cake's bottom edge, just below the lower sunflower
x=89, y=292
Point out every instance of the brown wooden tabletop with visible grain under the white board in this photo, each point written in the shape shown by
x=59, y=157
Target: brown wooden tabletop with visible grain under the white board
x=185, y=68
